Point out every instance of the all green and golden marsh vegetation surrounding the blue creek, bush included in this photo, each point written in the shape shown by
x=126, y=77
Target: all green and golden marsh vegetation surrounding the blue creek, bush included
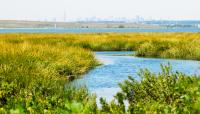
x=35, y=70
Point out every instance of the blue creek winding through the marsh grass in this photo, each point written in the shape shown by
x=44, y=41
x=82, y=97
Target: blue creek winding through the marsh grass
x=104, y=79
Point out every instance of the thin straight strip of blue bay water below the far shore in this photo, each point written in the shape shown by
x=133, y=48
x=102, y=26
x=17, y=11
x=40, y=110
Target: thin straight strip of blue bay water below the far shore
x=88, y=30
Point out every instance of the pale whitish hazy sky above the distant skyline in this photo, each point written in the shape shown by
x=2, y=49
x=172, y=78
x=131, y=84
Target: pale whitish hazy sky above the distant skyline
x=51, y=9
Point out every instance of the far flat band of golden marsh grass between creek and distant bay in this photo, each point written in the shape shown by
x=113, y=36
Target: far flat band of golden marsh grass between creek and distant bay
x=163, y=45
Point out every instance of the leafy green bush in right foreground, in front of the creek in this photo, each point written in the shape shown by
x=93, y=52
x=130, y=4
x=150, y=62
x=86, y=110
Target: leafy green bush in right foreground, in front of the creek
x=165, y=92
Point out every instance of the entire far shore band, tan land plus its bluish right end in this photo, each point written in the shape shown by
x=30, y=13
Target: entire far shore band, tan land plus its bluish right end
x=16, y=24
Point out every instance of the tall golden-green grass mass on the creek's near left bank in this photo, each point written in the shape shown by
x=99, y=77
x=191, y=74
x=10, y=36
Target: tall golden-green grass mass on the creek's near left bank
x=33, y=78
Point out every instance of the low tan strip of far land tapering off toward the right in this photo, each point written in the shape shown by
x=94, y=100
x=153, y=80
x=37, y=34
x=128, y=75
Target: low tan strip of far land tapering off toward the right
x=38, y=24
